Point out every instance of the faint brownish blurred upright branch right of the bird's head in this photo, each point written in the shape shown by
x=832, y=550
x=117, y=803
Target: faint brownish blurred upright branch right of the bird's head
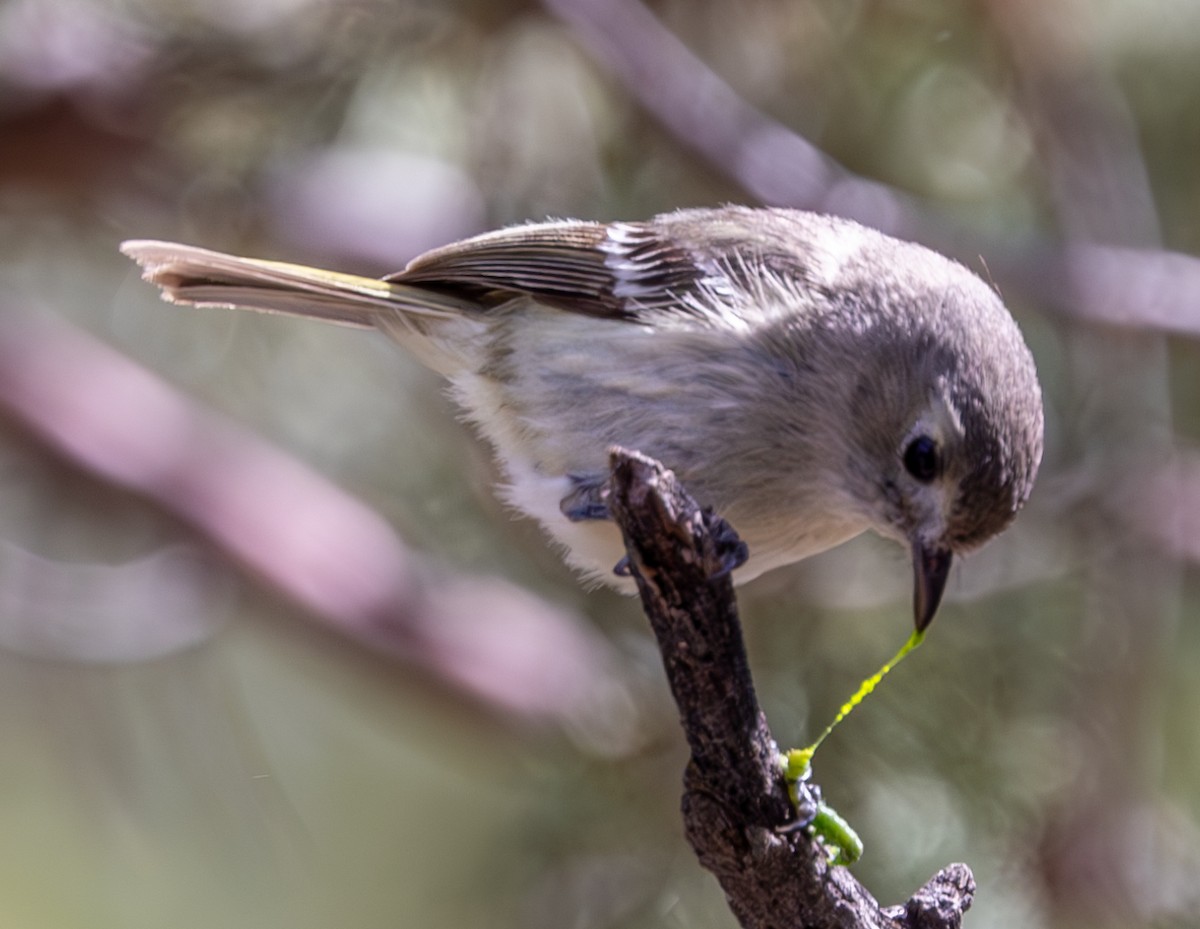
x=1097, y=181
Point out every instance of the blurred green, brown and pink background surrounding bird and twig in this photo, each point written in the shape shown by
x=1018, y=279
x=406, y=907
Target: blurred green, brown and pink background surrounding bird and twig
x=273, y=656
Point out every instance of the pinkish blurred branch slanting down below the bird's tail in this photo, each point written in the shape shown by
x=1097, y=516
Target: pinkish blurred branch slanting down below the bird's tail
x=316, y=544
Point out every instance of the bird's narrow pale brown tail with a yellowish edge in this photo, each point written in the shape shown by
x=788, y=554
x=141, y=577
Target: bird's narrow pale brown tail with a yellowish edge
x=201, y=278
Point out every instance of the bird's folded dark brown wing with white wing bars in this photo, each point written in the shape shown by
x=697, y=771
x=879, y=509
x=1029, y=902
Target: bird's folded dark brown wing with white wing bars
x=622, y=271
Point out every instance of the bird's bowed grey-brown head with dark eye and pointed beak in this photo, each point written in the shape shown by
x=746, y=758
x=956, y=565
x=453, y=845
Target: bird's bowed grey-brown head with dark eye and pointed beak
x=949, y=422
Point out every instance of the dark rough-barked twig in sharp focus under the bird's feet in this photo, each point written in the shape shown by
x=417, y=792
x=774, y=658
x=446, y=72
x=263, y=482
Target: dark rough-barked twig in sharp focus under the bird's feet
x=735, y=796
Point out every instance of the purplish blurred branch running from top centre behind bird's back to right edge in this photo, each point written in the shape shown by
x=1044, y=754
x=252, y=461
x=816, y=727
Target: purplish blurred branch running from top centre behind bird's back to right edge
x=1147, y=289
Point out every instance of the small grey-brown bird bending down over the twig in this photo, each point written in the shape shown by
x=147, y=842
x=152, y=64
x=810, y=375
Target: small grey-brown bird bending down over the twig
x=806, y=377
